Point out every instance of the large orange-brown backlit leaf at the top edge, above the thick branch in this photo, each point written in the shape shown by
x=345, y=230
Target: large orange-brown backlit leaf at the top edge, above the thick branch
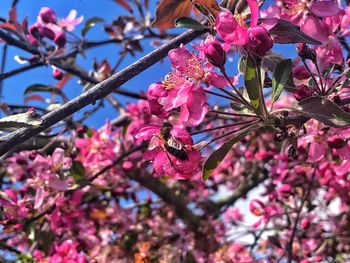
x=168, y=11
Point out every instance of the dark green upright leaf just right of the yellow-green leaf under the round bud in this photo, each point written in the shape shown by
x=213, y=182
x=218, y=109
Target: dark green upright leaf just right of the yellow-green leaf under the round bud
x=280, y=76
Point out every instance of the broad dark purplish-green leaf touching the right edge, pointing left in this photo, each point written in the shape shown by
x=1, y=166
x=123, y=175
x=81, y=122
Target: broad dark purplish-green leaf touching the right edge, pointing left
x=325, y=111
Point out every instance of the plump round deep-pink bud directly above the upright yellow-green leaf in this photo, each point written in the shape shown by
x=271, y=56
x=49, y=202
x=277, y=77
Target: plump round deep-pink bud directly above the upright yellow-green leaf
x=259, y=40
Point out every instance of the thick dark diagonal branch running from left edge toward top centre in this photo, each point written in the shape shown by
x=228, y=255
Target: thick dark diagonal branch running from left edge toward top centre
x=97, y=92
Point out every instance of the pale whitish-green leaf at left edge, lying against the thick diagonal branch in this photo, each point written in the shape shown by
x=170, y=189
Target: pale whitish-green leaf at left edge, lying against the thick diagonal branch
x=28, y=119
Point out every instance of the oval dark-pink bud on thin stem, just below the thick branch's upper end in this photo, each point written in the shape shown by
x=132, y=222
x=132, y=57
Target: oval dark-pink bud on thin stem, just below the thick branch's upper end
x=214, y=52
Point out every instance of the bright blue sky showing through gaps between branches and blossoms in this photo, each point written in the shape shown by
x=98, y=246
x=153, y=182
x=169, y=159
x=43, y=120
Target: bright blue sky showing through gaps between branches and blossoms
x=107, y=9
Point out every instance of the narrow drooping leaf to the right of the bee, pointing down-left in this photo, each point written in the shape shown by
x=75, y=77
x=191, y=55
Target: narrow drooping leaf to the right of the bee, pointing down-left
x=217, y=156
